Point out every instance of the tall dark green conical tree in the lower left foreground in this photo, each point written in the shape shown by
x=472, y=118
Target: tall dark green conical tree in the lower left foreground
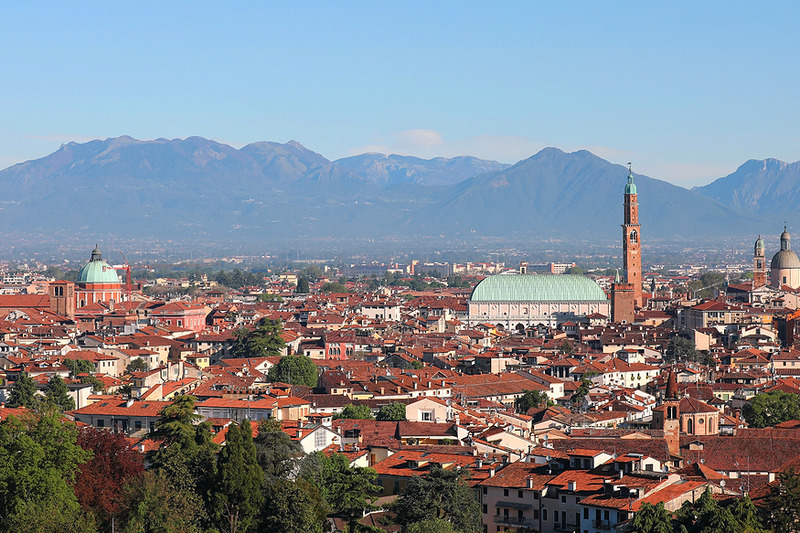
x=237, y=495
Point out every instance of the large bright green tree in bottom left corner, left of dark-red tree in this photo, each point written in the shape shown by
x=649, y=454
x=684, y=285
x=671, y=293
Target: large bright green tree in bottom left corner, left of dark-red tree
x=39, y=461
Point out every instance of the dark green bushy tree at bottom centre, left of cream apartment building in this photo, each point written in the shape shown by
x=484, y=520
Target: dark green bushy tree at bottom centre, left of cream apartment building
x=443, y=494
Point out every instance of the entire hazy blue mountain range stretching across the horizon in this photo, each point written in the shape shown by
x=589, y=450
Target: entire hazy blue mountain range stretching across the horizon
x=204, y=191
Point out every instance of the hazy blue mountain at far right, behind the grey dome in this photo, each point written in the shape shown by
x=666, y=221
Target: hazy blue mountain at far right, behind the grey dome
x=768, y=187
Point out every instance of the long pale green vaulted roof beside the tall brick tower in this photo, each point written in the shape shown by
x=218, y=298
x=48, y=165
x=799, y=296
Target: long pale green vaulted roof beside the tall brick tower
x=537, y=288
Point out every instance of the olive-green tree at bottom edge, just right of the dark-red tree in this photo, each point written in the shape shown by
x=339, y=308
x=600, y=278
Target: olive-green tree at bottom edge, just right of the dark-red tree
x=150, y=503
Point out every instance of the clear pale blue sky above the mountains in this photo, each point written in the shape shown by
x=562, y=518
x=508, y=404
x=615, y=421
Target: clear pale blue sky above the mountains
x=686, y=90
